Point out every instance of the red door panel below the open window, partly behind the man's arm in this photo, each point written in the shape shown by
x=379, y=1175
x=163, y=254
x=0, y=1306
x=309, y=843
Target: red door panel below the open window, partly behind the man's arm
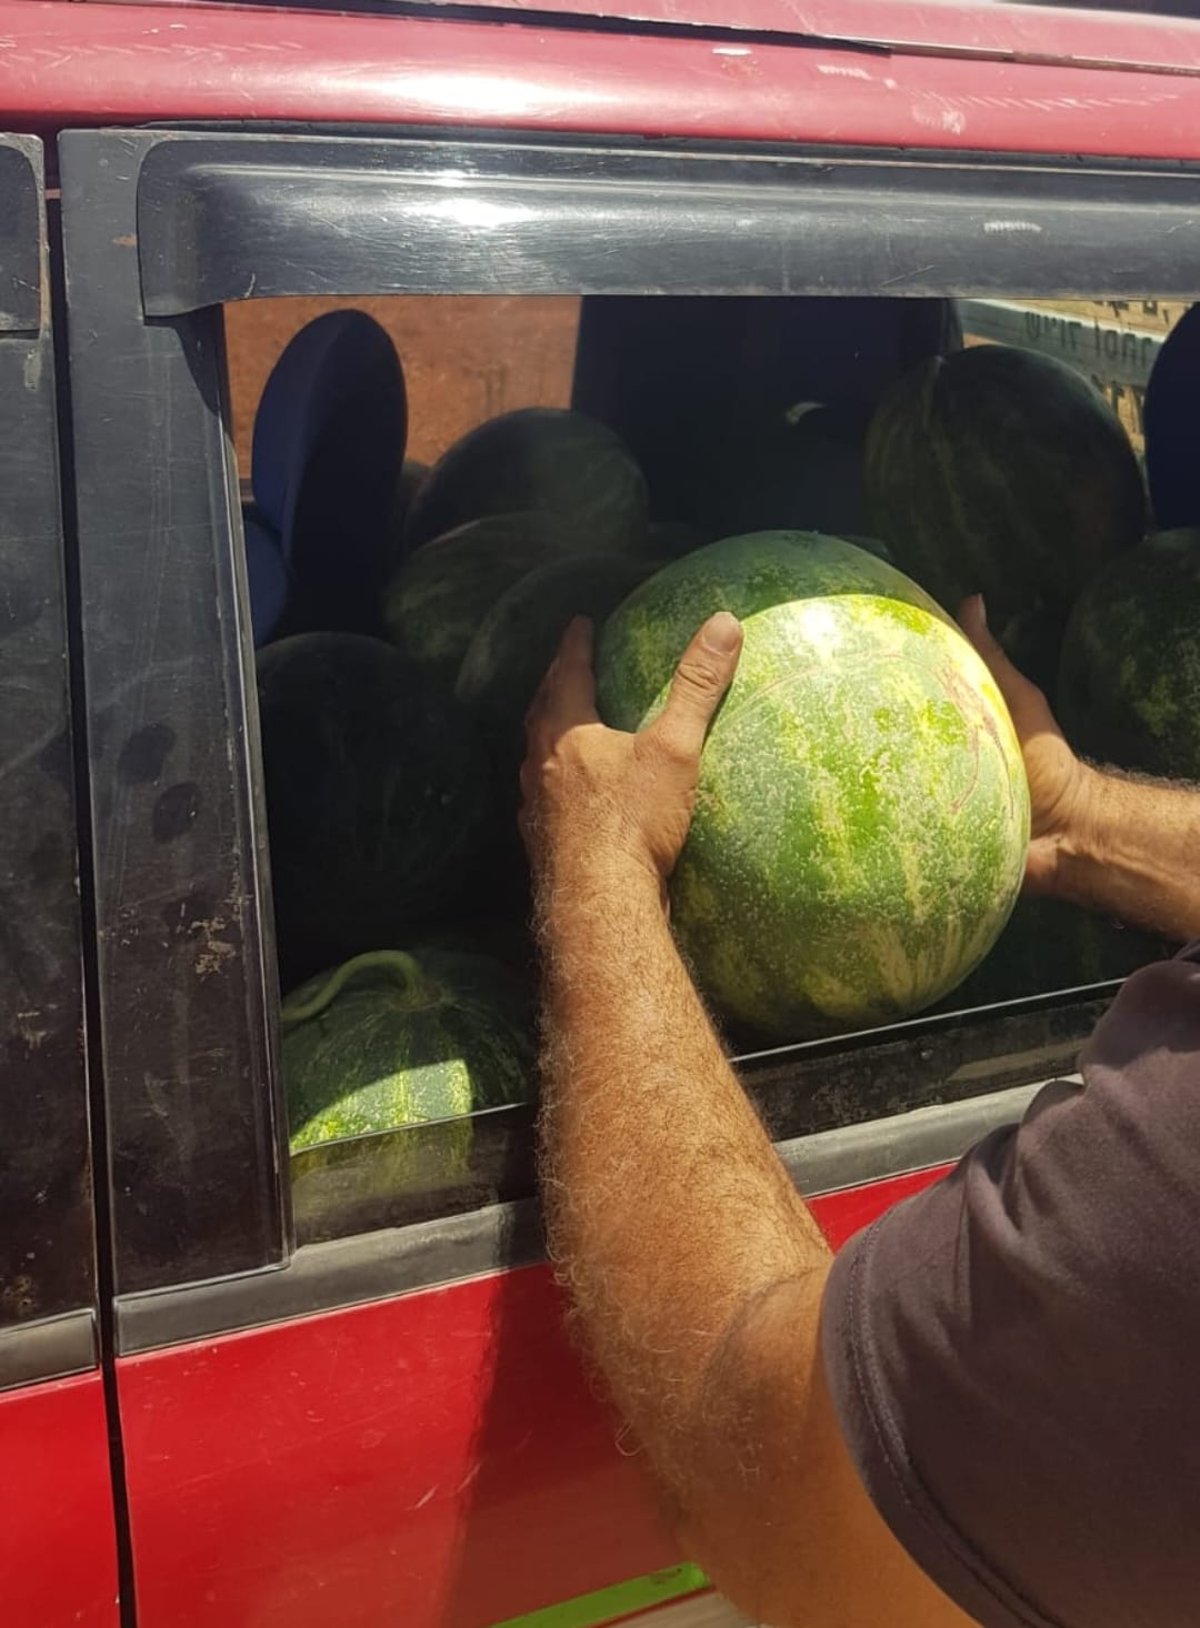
x=436, y=1461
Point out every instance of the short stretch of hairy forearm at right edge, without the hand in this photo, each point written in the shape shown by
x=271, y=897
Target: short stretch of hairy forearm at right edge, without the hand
x=1137, y=856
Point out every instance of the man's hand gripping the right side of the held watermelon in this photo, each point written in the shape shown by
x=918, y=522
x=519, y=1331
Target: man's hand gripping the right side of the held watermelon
x=1062, y=789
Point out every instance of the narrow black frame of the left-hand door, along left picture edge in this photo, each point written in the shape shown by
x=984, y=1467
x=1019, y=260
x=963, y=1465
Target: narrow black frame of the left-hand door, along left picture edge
x=48, y=1223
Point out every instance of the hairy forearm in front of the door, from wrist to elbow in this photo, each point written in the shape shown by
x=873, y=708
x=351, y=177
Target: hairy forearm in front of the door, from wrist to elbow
x=670, y=1214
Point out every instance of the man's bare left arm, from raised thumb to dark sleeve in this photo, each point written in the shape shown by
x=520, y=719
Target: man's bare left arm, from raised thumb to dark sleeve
x=694, y=1267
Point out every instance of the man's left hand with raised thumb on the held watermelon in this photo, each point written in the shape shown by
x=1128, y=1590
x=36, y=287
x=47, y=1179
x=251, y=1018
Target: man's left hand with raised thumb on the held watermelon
x=600, y=797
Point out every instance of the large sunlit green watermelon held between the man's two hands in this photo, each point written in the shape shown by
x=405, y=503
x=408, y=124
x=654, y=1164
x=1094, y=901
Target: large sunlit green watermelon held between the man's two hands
x=862, y=816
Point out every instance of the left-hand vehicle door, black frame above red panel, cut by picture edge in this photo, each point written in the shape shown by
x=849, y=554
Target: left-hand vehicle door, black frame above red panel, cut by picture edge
x=58, y=1538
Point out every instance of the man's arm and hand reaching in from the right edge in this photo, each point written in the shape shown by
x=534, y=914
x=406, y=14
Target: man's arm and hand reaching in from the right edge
x=1124, y=847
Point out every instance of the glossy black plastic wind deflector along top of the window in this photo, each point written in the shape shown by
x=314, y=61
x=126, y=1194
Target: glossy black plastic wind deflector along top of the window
x=227, y=219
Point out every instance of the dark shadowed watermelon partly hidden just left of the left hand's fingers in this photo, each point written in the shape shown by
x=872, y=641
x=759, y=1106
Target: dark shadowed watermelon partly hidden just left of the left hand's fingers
x=515, y=644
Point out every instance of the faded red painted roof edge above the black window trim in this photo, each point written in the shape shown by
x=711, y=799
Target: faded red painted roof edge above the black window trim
x=68, y=64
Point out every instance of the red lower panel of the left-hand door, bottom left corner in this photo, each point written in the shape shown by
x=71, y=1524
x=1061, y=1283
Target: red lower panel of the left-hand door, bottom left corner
x=58, y=1536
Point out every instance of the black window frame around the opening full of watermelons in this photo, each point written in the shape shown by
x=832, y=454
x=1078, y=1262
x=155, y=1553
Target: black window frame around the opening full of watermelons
x=162, y=229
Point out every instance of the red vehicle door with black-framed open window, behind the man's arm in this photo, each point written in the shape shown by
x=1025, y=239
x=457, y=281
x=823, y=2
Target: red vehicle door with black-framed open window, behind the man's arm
x=346, y=1396
